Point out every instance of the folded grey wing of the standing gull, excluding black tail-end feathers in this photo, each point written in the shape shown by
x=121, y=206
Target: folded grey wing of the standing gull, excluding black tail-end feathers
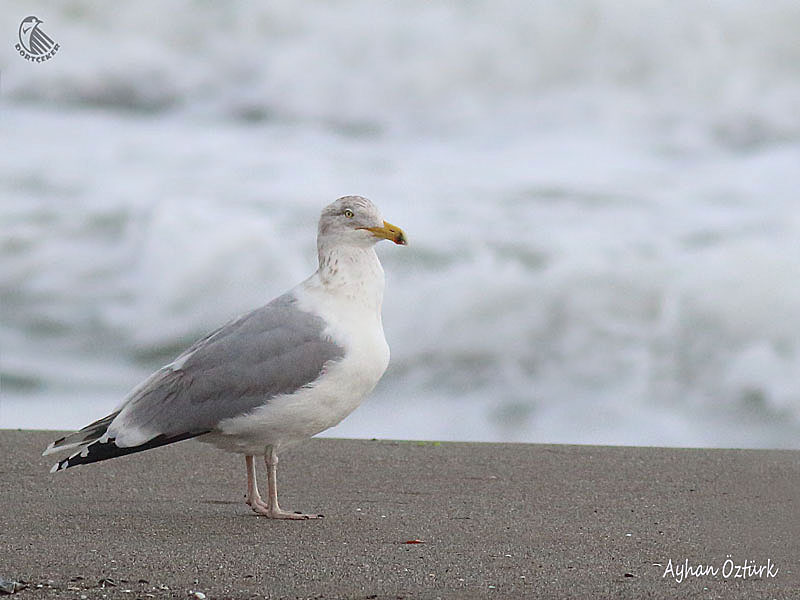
x=276, y=349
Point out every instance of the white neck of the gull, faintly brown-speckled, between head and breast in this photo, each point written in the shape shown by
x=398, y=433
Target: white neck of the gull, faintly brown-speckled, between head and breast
x=353, y=272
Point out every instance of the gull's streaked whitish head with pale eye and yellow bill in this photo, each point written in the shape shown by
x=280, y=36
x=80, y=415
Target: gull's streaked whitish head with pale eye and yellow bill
x=355, y=221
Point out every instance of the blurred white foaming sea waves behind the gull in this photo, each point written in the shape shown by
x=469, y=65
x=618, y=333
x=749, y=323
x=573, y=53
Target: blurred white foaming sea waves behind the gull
x=602, y=199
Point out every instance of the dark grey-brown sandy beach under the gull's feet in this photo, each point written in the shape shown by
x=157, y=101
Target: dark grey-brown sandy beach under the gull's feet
x=497, y=521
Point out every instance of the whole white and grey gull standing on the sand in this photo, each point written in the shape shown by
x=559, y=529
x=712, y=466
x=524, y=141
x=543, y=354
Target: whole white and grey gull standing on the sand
x=272, y=377
